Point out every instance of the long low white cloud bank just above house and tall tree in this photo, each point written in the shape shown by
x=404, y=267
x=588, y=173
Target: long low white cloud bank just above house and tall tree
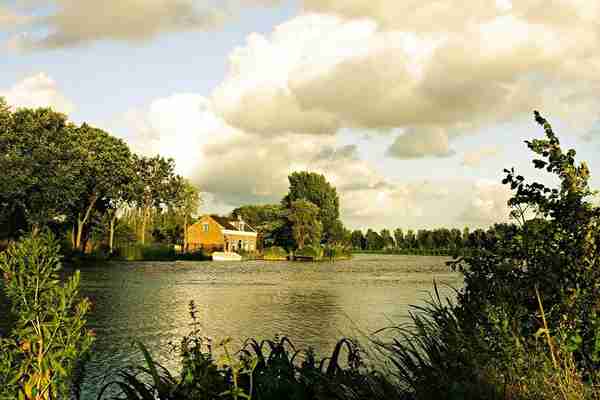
x=233, y=167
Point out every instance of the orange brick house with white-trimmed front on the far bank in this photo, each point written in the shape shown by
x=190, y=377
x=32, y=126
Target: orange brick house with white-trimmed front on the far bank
x=214, y=233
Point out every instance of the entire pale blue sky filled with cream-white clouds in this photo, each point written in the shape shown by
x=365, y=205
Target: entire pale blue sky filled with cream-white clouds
x=410, y=108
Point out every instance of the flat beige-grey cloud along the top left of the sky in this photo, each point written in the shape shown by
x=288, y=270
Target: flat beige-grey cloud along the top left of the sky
x=76, y=22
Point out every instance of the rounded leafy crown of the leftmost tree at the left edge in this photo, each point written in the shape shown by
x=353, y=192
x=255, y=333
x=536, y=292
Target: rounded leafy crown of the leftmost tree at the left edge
x=40, y=166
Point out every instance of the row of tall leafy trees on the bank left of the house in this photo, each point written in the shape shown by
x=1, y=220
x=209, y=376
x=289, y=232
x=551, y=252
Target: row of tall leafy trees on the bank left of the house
x=84, y=183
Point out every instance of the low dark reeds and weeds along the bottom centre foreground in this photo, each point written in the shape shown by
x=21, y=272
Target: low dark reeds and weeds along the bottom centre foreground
x=271, y=369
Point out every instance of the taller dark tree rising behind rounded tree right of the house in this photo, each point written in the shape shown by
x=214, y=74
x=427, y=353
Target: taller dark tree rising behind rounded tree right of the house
x=315, y=188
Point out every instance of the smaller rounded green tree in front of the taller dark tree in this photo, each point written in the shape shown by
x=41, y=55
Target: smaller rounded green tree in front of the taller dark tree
x=306, y=228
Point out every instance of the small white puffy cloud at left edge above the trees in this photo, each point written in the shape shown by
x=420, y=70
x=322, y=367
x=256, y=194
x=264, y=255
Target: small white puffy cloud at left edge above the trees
x=37, y=91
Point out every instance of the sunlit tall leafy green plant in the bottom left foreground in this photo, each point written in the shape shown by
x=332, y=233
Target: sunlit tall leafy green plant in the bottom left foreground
x=39, y=357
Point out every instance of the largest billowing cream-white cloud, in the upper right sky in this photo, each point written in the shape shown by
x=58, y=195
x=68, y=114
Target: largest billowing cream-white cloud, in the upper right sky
x=319, y=73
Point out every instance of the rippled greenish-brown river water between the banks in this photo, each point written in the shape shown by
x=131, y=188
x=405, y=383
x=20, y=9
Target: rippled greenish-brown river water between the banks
x=314, y=304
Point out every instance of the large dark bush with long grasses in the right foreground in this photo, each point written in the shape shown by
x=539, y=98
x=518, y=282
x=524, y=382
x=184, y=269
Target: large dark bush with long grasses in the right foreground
x=526, y=325
